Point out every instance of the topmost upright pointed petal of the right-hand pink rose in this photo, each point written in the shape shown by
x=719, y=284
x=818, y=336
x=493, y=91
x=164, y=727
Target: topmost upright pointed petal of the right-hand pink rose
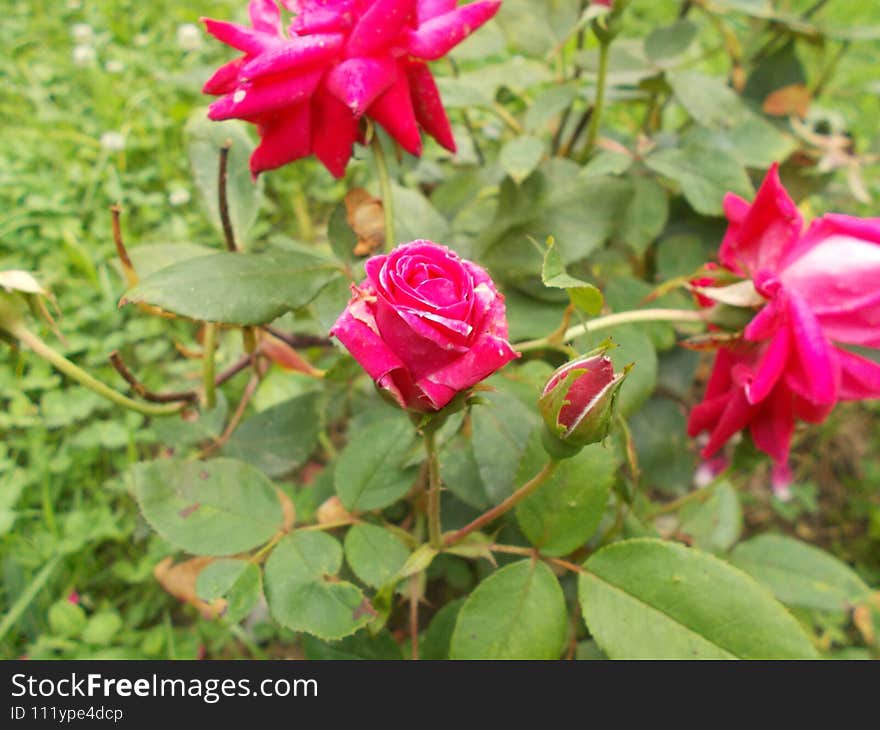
x=760, y=239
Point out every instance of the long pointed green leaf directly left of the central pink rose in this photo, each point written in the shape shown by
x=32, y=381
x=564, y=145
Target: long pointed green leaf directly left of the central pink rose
x=236, y=288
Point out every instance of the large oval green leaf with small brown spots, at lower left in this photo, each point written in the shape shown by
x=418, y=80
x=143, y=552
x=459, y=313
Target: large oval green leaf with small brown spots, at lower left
x=218, y=507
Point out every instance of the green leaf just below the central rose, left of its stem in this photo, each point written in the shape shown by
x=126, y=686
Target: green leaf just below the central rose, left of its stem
x=370, y=472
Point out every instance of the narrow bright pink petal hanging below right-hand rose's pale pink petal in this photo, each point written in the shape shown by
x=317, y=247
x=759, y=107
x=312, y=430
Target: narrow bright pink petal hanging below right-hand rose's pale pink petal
x=813, y=373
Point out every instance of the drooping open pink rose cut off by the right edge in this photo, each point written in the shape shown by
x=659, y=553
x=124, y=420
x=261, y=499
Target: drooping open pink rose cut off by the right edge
x=822, y=292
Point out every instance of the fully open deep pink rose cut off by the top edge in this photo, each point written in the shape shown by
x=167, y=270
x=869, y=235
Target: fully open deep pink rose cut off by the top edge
x=340, y=60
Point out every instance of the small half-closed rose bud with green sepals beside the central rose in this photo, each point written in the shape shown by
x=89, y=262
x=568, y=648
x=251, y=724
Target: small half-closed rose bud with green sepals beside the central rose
x=577, y=404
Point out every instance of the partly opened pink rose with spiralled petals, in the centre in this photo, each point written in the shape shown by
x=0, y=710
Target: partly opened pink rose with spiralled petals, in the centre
x=425, y=325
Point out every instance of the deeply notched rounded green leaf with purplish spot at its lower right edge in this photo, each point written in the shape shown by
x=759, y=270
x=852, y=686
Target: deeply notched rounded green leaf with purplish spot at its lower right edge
x=301, y=594
